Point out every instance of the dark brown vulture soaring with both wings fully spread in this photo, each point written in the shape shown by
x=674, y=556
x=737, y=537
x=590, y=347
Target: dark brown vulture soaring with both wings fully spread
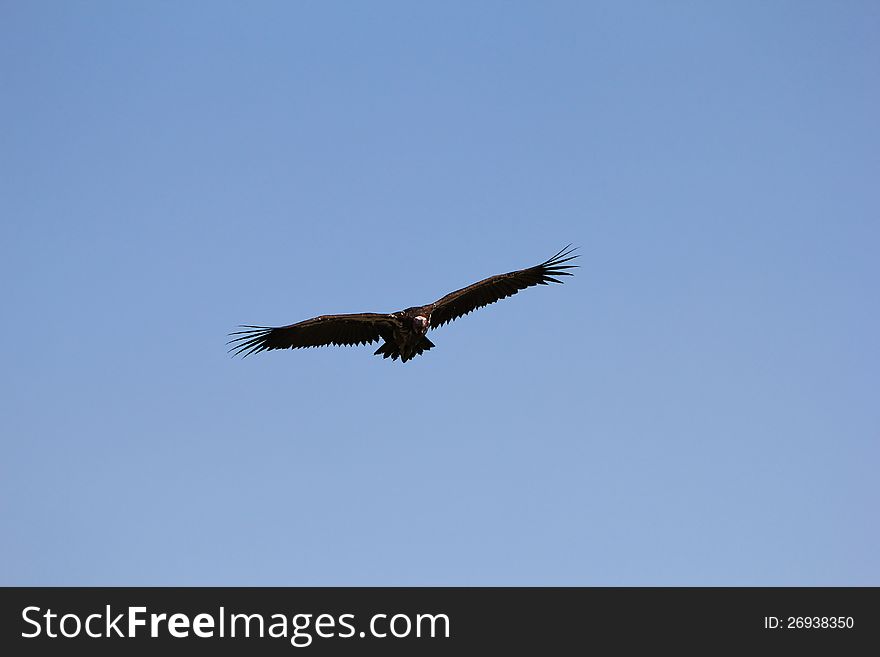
x=402, y=333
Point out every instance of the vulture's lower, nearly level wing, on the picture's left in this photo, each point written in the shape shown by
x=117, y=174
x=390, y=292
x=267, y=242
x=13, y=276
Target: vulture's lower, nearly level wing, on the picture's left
x=361, y=328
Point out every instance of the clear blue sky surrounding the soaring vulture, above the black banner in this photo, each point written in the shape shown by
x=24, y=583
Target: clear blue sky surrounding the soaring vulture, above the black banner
x=697, y=406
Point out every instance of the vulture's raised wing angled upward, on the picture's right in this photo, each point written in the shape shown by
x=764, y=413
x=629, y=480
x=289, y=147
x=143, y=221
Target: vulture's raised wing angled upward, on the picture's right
x=494, y=288
